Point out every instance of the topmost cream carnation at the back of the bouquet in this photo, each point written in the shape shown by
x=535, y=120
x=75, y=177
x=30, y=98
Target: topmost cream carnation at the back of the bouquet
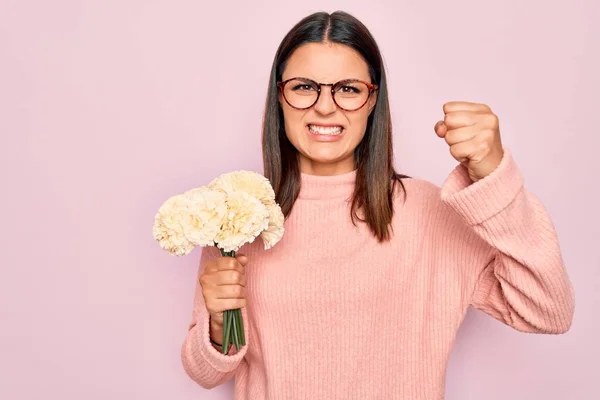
x=250, y=182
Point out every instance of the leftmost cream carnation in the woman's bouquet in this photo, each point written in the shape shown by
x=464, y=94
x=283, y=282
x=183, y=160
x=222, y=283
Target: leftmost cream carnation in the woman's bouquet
x=169, y=222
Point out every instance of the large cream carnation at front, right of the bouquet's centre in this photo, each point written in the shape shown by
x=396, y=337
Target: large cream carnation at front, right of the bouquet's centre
x=246, y=218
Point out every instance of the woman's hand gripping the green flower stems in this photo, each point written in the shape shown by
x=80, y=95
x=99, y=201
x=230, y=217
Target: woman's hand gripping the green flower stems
x=223, y=288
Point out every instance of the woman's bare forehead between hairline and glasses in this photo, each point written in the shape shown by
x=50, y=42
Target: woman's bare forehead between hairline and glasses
x=326, y=63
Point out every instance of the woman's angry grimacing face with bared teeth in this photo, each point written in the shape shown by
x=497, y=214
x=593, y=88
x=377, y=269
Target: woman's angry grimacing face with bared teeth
x=324, y=134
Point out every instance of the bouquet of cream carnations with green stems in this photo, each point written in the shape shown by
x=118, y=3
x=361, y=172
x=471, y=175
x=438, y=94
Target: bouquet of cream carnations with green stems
x=232, y=210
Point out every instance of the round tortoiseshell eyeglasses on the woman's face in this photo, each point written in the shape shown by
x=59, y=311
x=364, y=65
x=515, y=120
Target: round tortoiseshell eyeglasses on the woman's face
x=347, y=94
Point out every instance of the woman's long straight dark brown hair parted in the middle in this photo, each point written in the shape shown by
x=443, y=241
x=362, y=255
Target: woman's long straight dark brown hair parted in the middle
x=376, y=178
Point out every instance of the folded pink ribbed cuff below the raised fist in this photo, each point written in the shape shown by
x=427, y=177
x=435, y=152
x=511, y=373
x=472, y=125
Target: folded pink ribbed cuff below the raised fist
x=478, y=201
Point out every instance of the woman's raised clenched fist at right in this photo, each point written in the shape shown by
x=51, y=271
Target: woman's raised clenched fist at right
x=472, y=131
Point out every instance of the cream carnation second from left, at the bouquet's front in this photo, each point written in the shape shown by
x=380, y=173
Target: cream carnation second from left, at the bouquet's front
x=207, y=210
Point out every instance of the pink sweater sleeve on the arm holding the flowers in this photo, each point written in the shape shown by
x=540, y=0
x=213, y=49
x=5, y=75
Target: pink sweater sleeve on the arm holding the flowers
x=201, y=361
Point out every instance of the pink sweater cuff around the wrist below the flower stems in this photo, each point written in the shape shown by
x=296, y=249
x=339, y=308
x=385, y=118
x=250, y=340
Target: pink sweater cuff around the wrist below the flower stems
x=218, y=360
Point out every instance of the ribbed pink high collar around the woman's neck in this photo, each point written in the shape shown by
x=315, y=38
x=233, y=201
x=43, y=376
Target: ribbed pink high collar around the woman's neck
x=319, y=187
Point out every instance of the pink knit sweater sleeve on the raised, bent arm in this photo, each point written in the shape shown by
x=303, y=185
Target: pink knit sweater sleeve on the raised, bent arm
x=523, y=282
